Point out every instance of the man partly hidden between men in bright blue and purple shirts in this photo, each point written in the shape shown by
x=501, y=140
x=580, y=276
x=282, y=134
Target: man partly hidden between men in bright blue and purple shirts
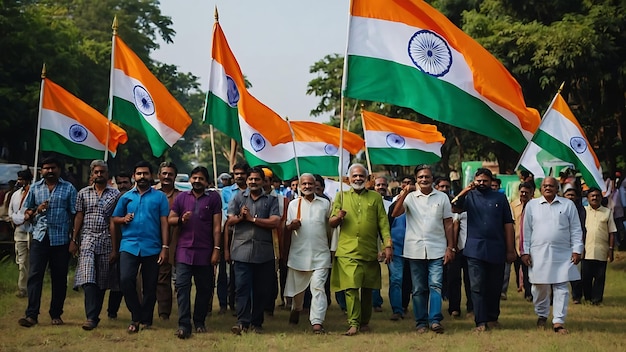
x=167, y=176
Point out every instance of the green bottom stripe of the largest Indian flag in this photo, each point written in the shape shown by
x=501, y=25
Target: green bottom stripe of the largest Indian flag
x=388, y=82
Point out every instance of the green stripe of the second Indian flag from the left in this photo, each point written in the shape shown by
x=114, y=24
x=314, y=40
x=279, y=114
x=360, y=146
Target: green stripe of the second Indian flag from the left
x=126, y=112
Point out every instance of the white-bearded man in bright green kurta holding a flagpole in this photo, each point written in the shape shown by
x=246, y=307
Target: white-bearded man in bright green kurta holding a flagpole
x=362, y=217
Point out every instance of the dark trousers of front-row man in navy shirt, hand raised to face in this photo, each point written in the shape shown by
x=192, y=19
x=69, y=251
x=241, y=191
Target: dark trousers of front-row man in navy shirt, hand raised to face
x=486, y=284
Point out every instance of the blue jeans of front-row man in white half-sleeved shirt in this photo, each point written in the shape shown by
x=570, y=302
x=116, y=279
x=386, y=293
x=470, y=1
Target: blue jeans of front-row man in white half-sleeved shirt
x=427, y=275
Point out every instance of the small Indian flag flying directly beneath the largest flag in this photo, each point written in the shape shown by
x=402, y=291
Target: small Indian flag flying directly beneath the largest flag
x=392, y=141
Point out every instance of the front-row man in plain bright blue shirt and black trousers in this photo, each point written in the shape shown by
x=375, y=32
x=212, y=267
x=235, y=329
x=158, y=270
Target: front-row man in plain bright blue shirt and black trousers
x=142, y=213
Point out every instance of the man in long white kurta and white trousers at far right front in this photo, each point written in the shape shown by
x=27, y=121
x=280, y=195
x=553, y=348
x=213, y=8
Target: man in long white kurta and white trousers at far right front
x=552, y=245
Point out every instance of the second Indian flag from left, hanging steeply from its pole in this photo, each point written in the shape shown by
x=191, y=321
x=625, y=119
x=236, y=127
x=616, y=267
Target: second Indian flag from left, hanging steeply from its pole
x=141, y=101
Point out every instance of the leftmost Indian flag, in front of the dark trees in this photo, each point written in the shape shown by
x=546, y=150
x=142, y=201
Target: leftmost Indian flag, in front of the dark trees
x=71, y=127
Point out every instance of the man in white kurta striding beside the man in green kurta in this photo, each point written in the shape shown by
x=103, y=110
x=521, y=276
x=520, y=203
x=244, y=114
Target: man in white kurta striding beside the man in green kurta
x=309, y=254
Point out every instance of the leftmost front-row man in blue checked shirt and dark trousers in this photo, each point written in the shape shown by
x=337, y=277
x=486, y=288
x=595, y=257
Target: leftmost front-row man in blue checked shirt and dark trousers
x=51, y=204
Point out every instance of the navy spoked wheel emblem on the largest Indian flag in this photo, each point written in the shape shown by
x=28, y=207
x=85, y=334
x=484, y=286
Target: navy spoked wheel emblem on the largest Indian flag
x=430, y=53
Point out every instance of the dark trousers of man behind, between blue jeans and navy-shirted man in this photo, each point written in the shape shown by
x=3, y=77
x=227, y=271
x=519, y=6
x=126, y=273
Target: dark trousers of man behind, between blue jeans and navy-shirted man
x=456, y=268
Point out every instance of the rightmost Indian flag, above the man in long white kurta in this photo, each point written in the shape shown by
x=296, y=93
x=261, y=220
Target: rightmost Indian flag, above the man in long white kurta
x=560, y=135
